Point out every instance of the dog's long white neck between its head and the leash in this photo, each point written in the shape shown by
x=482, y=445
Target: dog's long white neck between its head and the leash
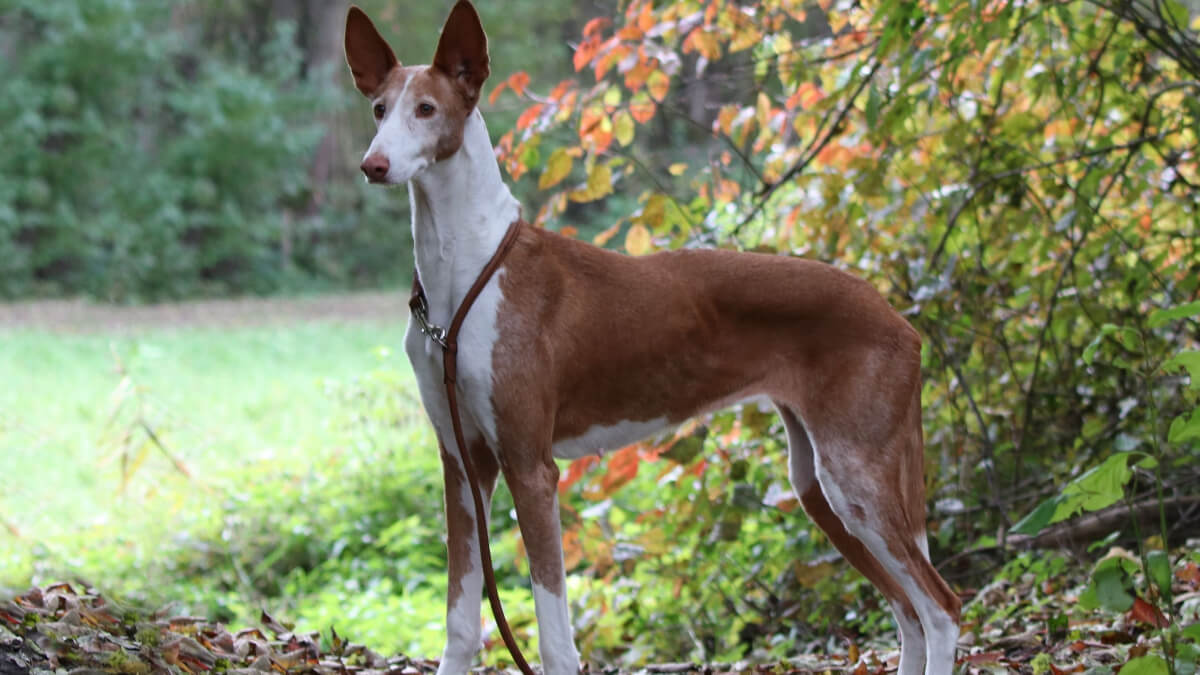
x=461, y=212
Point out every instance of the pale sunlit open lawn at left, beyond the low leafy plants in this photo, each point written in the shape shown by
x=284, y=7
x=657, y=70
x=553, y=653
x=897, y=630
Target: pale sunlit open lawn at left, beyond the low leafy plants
x=217, y=398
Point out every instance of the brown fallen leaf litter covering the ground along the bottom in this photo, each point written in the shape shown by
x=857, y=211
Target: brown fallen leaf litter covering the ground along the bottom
x=1024, y=625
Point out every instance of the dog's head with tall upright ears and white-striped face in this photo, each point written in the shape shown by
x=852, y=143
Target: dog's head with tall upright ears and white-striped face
x=419, y=111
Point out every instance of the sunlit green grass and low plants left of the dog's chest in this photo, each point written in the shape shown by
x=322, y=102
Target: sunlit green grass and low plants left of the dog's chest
x=313, y=483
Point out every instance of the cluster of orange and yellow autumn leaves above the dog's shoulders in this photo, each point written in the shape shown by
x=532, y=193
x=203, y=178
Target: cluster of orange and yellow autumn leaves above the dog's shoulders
x=634, y=61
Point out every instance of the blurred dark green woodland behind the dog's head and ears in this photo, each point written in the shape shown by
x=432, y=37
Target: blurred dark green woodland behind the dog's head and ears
x=158, y=151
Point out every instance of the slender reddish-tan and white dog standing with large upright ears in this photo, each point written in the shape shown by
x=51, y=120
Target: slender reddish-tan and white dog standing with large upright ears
x=573, y=350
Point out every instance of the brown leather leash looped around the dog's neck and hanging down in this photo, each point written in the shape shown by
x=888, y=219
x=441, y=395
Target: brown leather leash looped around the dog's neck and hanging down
x=449, y=343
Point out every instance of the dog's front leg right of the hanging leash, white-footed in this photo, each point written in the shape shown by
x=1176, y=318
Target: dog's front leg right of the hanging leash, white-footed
x=535, y=489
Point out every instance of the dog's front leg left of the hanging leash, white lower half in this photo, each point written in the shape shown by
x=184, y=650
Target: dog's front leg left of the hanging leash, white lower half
x=466, y=577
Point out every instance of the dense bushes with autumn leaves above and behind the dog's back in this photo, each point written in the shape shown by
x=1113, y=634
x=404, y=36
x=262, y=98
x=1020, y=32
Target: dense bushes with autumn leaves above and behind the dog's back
x=1019, y=181
